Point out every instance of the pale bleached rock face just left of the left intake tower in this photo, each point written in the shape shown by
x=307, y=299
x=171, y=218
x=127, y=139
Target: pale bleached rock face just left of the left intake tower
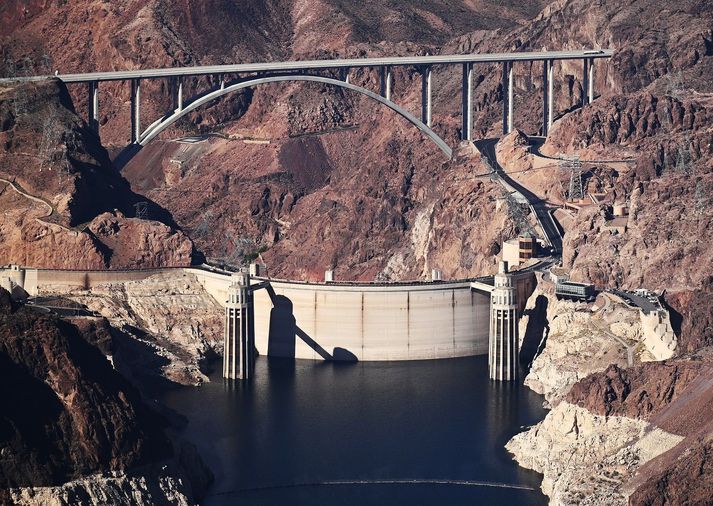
x=166, y=326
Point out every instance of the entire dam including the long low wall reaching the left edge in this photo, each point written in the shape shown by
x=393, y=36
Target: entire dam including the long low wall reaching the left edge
x=332, y=320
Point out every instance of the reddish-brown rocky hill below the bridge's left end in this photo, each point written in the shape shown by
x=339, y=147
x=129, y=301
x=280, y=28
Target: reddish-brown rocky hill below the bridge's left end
x=64, y=204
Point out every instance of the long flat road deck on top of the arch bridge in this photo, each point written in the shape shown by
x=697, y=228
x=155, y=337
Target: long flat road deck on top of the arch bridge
x=295, y=66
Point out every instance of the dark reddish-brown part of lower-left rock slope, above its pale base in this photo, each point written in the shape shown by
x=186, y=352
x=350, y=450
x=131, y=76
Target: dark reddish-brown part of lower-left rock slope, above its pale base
x=53, y=382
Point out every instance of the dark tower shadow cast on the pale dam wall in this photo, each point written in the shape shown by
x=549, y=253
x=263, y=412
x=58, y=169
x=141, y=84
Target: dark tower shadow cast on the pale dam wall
x=284, y=331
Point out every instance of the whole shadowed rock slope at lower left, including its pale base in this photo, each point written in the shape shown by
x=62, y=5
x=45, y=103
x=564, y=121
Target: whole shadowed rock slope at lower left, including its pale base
x=73, y=429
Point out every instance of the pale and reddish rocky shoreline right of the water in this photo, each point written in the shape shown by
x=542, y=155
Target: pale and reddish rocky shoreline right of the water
x=616, y=434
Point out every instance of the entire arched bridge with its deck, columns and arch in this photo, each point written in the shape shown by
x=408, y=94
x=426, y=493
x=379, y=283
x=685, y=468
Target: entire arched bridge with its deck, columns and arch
x=253, y=74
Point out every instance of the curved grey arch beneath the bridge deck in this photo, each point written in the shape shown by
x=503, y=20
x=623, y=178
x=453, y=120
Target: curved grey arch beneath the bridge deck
x=163, y=123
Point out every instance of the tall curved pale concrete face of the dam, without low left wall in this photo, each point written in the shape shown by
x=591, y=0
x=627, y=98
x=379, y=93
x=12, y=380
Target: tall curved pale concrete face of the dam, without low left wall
x=370, y=322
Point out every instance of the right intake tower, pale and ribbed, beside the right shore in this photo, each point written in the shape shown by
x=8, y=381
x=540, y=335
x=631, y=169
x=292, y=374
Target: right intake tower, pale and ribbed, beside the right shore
x=503, y=344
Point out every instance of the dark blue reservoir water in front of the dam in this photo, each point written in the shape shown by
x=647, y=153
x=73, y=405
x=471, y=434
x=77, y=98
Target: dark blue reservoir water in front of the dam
x=304, y=432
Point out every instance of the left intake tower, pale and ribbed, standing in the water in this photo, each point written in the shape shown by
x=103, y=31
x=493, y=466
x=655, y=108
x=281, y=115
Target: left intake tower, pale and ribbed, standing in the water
x=239, y=347
